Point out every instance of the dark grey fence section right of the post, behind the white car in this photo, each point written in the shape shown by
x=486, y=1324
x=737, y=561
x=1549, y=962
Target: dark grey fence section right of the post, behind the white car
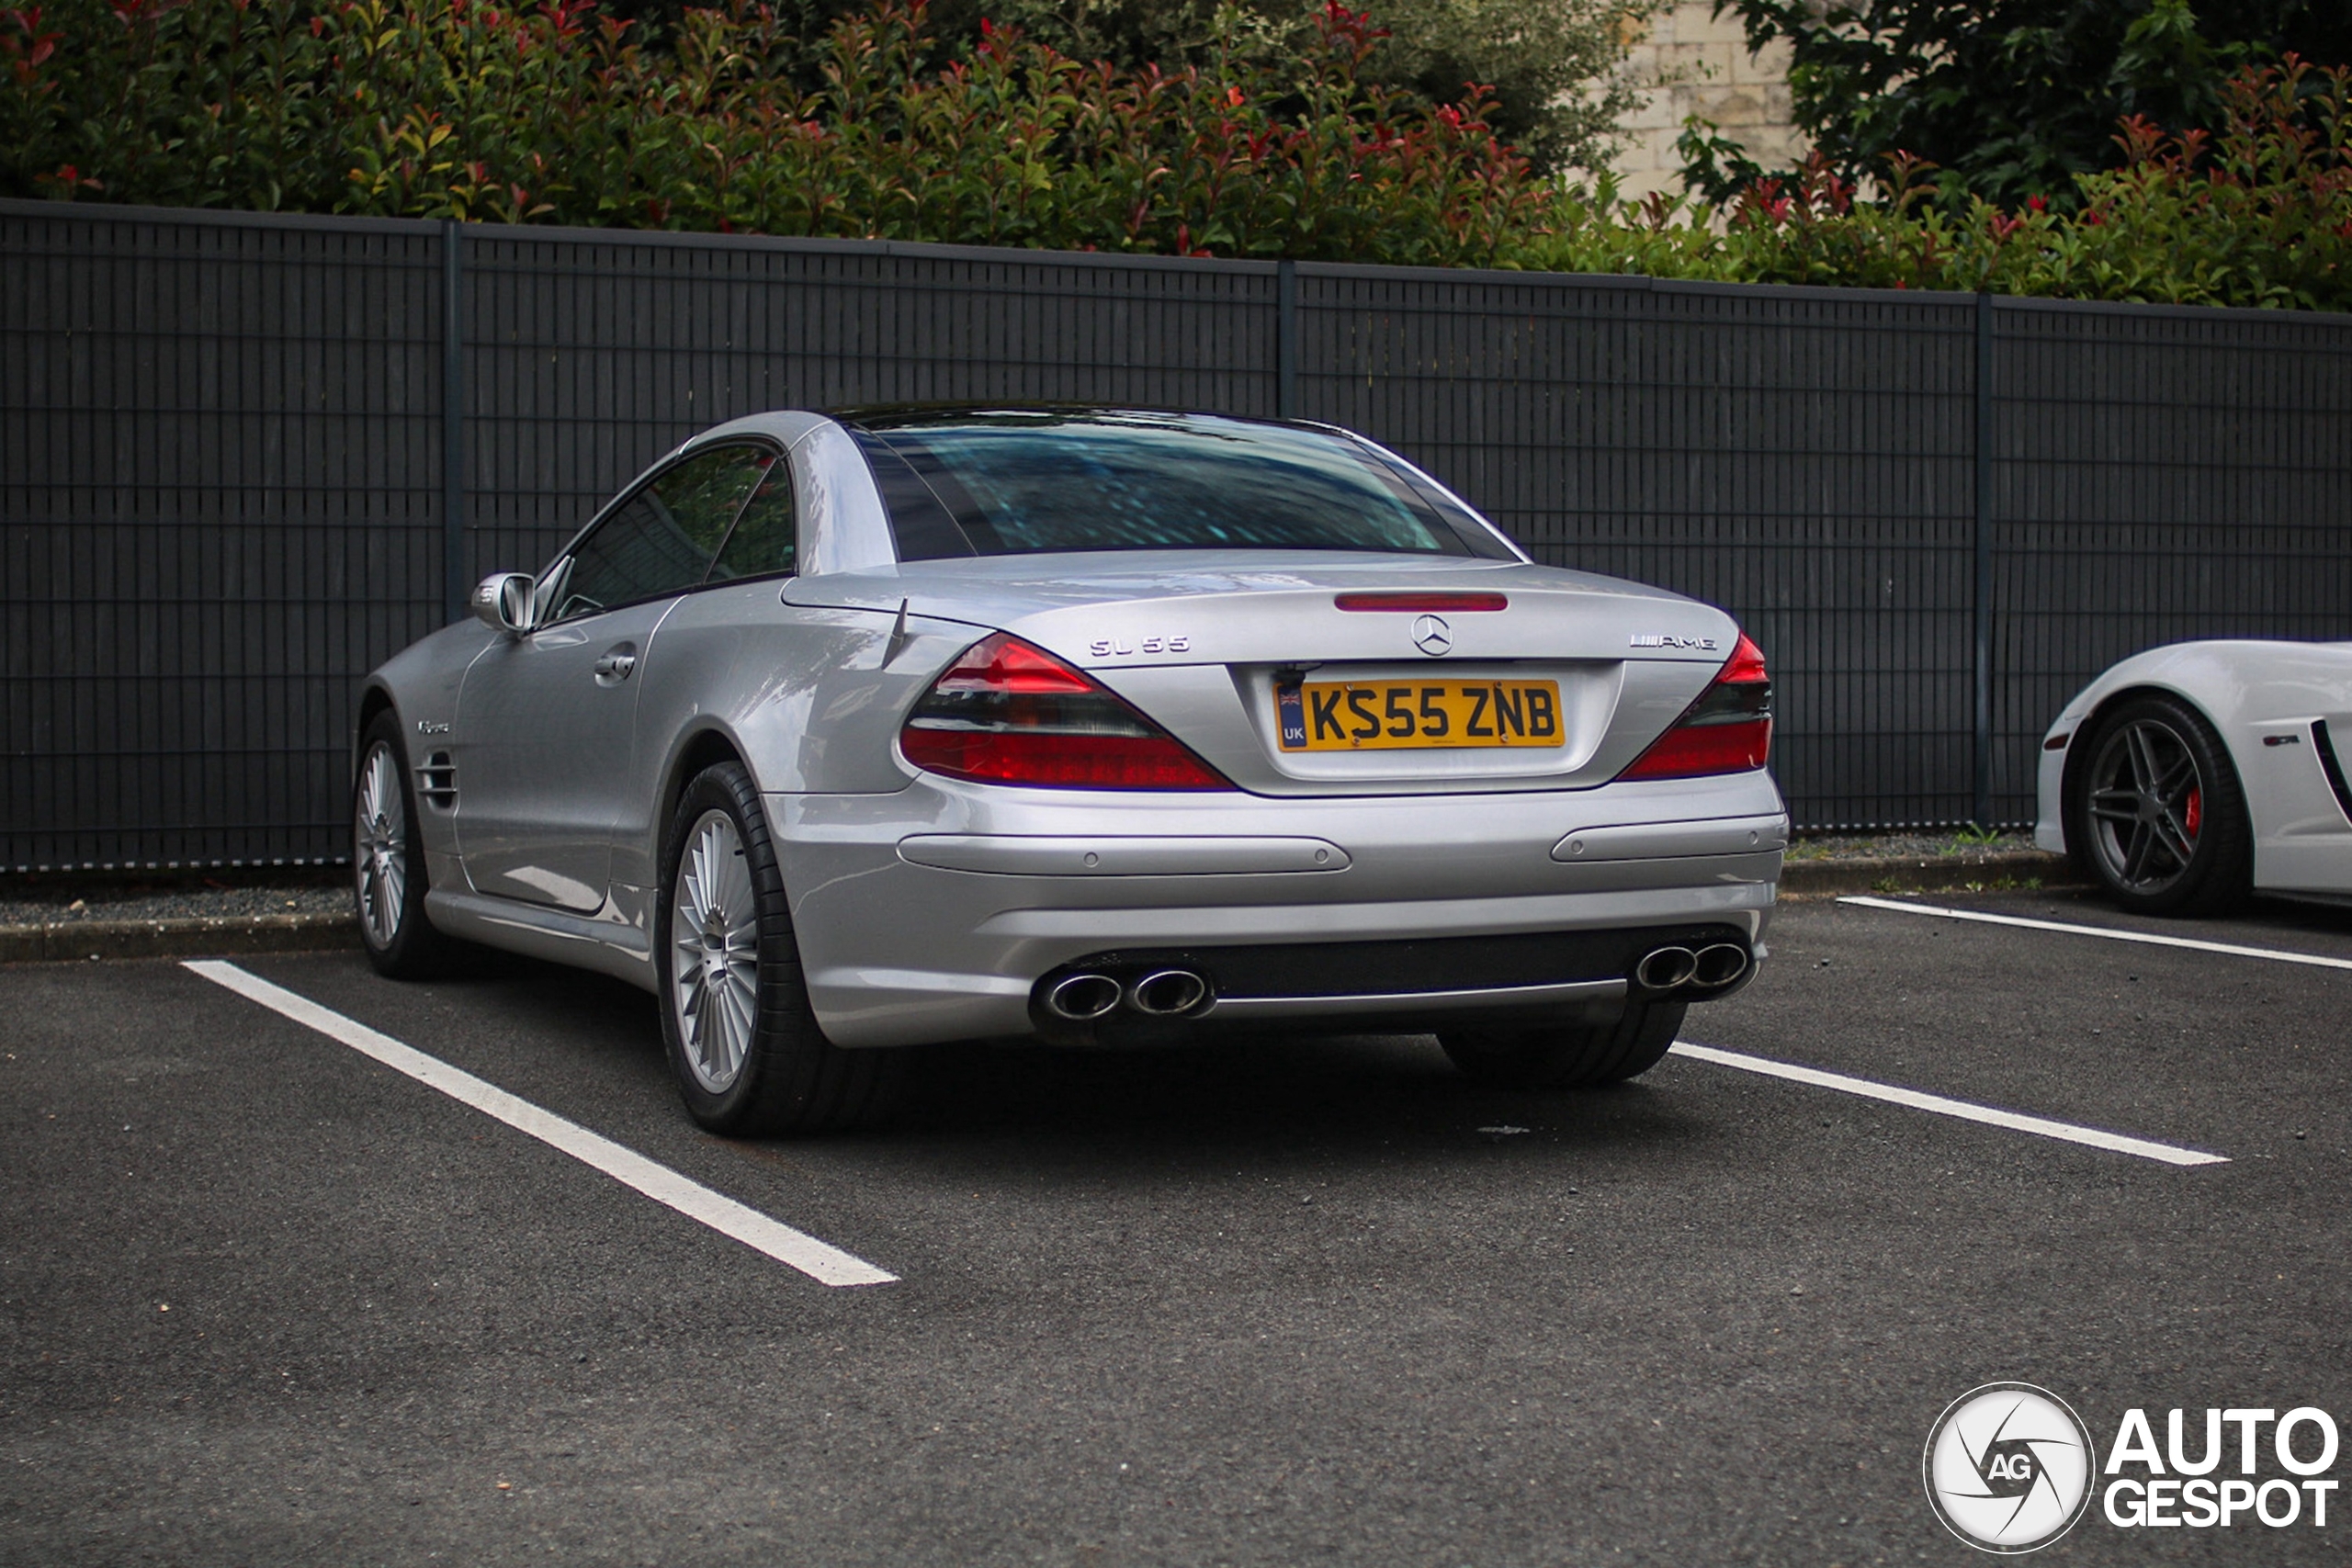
x=2160, y=476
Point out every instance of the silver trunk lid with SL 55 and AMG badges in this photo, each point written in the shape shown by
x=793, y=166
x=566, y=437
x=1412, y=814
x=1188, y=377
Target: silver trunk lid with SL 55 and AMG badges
x=1208, y=648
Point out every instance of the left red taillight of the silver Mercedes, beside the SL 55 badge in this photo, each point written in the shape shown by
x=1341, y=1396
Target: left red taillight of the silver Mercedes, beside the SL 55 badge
x=1013, y=713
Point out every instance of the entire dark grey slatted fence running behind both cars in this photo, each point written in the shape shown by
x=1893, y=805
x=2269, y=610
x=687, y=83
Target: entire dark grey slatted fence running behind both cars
x=227, y=476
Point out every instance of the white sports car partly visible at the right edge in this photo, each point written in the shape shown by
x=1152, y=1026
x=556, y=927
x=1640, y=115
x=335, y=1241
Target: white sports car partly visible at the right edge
x=2196, y=775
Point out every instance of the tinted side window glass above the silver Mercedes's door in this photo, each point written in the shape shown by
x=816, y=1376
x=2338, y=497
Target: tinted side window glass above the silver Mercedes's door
x=664, y=537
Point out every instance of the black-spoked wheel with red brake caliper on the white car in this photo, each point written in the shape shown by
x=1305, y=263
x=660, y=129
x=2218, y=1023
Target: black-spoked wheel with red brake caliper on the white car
x=2158, y=815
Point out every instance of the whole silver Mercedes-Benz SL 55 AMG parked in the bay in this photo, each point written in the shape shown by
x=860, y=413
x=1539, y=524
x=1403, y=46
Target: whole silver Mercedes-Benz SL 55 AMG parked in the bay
x=1083, y=725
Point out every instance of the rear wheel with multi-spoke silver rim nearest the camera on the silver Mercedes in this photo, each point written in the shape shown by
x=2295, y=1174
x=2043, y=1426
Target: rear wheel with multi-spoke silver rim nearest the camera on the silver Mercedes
x=744, y=1045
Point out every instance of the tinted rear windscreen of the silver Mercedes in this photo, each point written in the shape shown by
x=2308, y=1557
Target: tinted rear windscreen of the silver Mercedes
x=1024, y=483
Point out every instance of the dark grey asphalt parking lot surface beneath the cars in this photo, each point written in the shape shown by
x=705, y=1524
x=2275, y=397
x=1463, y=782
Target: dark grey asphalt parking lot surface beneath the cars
x=267, y=1301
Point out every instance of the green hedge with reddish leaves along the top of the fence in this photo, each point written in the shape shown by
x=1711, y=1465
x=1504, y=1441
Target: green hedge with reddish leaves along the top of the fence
x=563, y=116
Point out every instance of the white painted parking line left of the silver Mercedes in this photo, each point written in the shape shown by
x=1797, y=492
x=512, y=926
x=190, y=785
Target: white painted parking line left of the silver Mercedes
x=723, y=1214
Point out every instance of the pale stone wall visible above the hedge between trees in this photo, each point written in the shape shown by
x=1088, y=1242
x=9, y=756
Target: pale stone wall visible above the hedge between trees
x=1699, y=65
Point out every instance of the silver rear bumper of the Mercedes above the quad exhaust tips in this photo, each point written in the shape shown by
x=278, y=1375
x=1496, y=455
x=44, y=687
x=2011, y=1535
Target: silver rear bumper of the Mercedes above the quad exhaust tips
x=935, y=913
